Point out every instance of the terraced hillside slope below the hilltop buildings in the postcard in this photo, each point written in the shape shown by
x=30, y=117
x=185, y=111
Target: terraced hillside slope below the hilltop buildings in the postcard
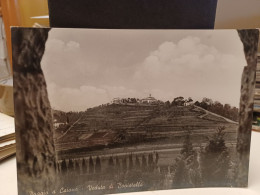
x=120, y=128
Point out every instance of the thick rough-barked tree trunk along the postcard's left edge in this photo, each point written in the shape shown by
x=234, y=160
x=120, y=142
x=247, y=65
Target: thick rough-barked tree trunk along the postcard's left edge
x=33, y=117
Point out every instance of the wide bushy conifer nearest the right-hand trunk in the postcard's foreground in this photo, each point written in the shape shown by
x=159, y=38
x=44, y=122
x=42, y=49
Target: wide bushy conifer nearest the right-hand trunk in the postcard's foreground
x=215, y=160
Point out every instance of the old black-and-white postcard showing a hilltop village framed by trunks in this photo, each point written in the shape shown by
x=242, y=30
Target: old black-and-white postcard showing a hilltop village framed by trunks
x=111, y=111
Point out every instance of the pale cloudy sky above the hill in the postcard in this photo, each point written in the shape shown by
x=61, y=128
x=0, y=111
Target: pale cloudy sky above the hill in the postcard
x=87, y=67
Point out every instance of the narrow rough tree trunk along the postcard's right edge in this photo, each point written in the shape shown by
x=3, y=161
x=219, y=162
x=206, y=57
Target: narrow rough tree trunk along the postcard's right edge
x=250, y=41
